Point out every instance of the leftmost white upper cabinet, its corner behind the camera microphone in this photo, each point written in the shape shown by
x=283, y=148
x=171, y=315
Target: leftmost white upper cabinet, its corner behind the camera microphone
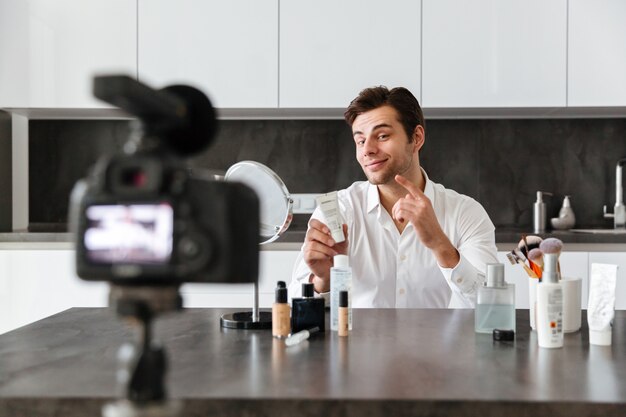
x=50, y=50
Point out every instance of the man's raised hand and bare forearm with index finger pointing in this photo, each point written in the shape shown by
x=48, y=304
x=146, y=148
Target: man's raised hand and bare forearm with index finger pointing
x=416, y=208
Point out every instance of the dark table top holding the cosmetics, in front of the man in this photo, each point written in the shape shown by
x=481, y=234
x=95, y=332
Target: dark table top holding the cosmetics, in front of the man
x=394, y=363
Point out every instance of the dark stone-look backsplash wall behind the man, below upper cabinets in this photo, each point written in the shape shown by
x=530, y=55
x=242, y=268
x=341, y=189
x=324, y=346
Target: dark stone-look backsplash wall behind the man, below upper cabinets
x=501, y=163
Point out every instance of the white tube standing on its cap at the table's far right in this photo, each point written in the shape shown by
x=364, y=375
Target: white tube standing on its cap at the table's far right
x=601, y=306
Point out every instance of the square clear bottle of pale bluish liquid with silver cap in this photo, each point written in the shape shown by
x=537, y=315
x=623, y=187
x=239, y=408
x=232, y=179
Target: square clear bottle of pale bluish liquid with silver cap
x=495, y=302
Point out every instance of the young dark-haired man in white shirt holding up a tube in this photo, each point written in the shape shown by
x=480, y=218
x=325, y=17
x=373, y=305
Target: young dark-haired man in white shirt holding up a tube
x=411, y=242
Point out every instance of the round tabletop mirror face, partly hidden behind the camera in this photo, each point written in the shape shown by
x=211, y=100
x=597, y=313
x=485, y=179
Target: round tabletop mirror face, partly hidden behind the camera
x=275, y=201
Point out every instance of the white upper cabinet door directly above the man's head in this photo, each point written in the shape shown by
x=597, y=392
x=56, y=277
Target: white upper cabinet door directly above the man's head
x=331, y=50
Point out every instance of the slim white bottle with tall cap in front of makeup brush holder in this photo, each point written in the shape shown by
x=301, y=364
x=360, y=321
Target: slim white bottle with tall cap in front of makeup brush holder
x=549, y=305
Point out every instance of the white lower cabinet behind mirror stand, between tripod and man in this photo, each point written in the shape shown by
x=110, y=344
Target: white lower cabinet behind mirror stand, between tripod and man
x=273, y=266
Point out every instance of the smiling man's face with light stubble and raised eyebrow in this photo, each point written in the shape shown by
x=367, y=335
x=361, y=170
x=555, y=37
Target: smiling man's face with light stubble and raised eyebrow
x=382, y=146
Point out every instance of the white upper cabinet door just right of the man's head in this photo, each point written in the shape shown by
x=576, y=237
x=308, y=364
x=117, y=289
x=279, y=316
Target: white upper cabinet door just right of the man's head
x=494, y=53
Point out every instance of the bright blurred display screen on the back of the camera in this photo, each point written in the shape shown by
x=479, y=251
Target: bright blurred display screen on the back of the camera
x=129, y=234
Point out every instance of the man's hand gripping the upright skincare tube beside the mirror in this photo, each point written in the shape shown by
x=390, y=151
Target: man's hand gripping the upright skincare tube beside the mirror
x=319, y=249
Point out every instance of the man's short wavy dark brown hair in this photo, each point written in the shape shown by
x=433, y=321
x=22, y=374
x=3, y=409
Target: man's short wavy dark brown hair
x=401, y=99
